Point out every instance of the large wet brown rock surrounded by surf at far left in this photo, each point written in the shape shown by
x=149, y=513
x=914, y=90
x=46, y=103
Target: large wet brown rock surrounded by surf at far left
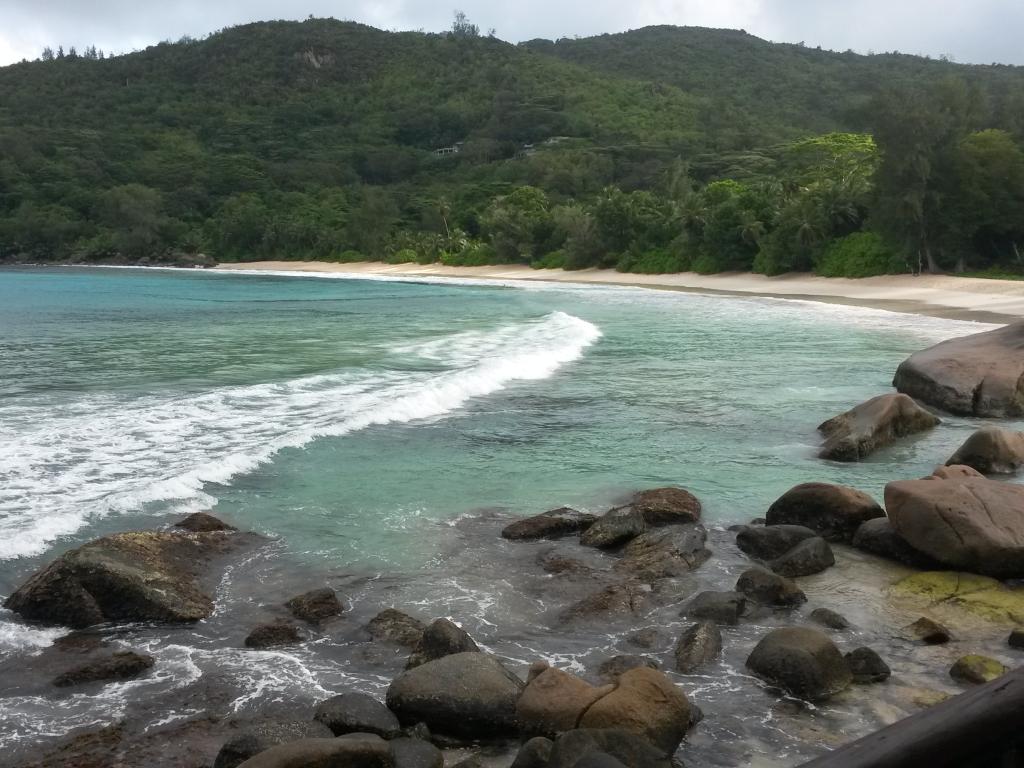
x=134, y=577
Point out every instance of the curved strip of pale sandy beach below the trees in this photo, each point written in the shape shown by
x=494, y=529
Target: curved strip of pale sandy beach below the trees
x=937, y=295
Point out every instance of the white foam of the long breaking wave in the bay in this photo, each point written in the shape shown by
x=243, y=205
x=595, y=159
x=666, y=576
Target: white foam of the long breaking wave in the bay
x=65, y=465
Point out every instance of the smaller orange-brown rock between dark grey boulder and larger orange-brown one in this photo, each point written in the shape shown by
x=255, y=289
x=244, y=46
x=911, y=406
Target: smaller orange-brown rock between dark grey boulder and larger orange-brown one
x=554, y=701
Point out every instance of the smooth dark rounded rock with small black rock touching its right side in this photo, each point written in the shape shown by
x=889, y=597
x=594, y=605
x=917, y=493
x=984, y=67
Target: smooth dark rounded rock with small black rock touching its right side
x=803, y=662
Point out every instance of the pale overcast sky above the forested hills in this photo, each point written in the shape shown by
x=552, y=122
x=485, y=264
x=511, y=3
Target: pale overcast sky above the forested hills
x=971, y=31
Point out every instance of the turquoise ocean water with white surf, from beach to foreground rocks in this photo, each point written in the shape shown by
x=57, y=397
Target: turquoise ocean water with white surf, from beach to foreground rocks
x=380, y=433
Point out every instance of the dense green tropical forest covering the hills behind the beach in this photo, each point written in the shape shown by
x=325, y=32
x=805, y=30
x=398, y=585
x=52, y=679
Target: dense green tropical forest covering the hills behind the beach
x=655, y=151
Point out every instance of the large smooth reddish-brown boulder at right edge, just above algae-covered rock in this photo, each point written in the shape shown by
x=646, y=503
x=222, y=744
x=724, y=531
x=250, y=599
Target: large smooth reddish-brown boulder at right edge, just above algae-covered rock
x=969, y=525
